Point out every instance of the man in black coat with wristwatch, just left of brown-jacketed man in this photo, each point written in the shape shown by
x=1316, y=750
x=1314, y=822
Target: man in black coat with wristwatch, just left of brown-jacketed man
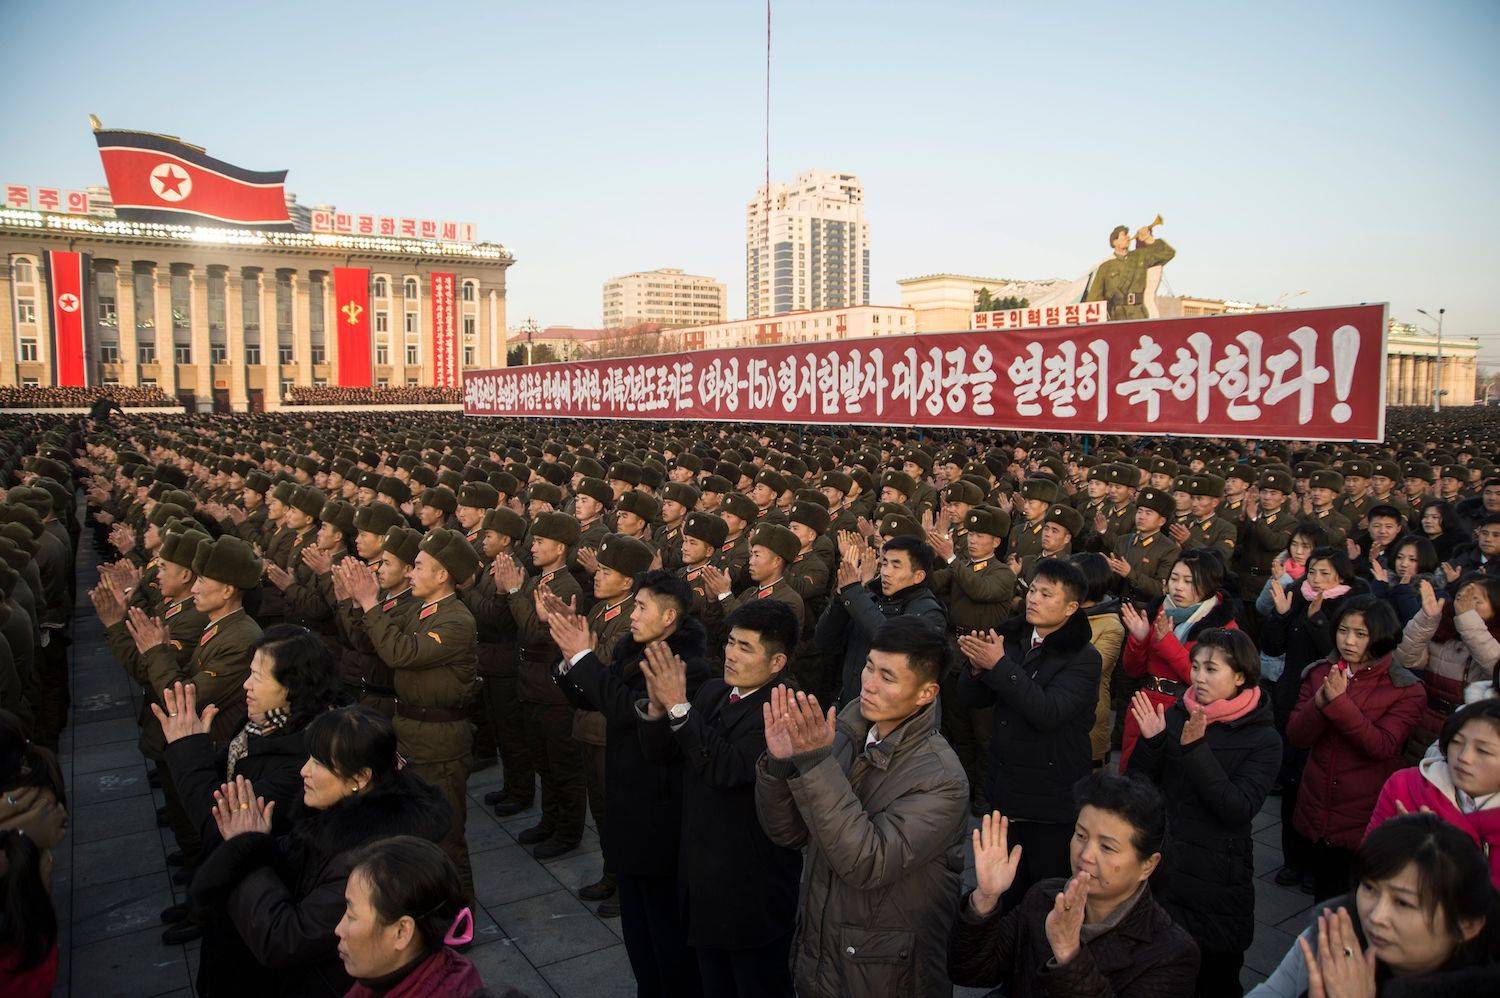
x=739, y=889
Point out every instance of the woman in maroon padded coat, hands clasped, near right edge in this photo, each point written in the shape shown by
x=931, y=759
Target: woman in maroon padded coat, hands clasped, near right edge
x=1355, y=712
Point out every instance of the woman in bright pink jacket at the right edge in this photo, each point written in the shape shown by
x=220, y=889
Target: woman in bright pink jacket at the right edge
x=1460, y=784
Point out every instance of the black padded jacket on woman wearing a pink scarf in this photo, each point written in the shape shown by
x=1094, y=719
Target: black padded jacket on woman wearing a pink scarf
x=1214, y=790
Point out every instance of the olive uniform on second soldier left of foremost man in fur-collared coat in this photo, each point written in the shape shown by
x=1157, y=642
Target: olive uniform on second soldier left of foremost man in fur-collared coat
x=547, y=712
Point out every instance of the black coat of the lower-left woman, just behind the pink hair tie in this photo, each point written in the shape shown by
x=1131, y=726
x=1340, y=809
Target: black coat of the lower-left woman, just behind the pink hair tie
x=286, y=895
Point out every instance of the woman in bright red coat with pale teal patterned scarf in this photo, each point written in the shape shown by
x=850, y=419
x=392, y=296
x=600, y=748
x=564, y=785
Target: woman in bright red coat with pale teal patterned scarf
x=1160, y=643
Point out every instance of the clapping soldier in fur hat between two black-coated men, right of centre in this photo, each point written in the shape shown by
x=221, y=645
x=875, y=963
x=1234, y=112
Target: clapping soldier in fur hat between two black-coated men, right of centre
x=979, y=589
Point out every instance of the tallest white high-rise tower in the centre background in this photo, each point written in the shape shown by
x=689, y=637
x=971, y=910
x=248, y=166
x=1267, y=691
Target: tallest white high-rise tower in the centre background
x=808, y=245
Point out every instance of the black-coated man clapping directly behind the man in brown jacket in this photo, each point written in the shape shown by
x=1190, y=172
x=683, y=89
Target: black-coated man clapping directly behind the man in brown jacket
x=874, y=589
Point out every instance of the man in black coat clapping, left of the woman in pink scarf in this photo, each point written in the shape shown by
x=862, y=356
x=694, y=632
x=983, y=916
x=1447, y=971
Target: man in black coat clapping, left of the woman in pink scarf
x=1042, y=675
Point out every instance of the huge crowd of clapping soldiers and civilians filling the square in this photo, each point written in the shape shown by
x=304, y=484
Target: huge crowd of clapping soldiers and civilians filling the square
x=799, y=679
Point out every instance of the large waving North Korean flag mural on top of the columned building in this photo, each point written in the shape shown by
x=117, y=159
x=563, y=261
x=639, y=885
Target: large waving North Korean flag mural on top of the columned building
x=163, y=179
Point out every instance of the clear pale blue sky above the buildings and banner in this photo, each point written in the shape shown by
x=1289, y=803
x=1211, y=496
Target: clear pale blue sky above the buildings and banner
x=1345, y=149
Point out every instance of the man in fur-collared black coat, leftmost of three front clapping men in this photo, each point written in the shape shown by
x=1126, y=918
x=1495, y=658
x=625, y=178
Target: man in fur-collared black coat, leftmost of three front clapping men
x=644, y=801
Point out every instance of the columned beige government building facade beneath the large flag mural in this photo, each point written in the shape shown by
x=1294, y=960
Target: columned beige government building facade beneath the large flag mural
x=238, y=319
